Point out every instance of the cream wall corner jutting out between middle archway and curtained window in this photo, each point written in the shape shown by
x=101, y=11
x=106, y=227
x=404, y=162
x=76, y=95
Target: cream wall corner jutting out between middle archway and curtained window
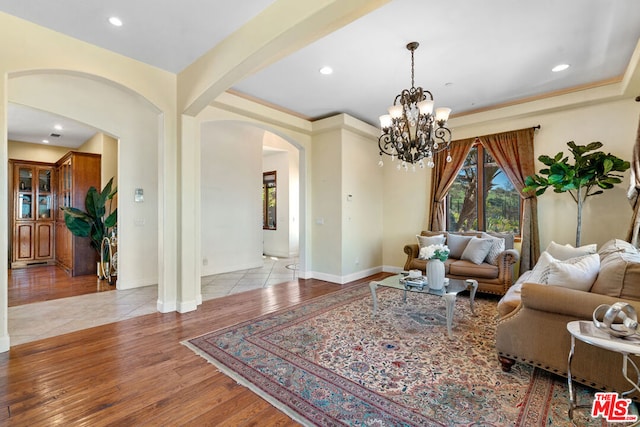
x=347, y=232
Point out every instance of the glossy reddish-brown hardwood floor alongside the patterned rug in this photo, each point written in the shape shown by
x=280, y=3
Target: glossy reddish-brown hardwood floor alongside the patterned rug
x=136, y=372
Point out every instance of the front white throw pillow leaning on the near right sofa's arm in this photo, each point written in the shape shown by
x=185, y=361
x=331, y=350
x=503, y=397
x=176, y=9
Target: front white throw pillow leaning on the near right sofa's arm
x=576, y=273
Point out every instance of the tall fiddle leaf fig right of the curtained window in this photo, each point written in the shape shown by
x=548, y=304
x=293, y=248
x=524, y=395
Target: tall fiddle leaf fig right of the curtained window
x=591, y=173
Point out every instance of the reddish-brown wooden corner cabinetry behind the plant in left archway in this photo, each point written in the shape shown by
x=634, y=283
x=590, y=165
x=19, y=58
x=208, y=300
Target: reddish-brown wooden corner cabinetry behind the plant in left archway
x=40, y=235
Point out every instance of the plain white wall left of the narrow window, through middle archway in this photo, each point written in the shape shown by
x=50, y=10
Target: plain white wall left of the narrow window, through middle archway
x=231, y=194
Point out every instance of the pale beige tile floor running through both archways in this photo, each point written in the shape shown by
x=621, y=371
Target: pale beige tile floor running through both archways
x=45, y=319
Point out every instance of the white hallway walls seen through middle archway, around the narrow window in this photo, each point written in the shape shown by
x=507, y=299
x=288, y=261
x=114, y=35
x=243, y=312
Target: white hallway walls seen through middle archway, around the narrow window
x=232, y=156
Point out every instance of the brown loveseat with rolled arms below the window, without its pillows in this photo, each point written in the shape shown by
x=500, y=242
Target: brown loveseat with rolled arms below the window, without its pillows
x=492, y=278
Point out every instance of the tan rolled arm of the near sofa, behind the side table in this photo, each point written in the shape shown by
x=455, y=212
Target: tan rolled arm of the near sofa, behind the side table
x=565, y=301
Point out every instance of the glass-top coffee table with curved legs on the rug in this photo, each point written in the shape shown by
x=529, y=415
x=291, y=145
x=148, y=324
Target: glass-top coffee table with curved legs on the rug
x=452, y=288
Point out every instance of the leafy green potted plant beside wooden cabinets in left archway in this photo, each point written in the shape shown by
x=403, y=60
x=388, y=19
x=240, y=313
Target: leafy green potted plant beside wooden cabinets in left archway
x=94, y=222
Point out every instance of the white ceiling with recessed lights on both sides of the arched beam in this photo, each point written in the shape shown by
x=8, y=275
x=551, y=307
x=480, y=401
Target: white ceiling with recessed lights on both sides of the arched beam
x=473, y=54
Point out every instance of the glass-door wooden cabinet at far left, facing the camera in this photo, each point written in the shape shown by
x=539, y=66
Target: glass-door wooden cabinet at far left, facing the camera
x=32, y=213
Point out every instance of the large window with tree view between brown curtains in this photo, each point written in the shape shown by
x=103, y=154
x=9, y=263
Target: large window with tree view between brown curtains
x=482, y=197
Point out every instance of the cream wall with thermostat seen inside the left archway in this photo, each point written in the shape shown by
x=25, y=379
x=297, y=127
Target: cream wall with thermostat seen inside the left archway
x=121, y=113
